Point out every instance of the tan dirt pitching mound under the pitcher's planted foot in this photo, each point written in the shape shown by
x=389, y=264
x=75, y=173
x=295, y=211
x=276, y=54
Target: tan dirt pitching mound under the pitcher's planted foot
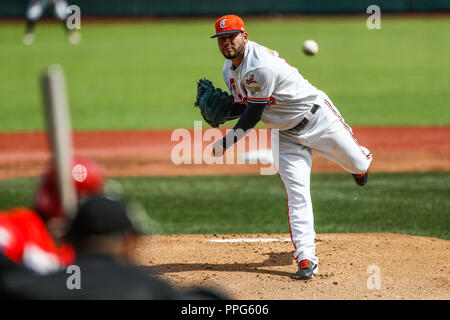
x=351, y=266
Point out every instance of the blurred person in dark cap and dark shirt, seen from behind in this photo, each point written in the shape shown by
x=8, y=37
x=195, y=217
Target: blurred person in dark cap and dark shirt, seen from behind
x=104, y=238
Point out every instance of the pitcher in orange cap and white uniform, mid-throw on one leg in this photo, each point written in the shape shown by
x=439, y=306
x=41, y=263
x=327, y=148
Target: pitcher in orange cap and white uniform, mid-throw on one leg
x=264, y=86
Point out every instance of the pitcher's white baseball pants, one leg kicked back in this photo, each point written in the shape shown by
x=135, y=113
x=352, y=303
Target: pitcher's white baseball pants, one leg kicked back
x=328, y=134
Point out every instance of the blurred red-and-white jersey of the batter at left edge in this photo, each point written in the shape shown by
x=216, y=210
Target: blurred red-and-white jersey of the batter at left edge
x=25, y=240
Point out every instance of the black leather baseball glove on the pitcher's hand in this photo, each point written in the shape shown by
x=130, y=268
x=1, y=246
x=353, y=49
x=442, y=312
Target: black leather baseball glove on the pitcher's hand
x=215, y=104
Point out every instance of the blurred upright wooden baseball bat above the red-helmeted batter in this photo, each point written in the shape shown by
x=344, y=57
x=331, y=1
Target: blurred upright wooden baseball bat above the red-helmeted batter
x=60, y=133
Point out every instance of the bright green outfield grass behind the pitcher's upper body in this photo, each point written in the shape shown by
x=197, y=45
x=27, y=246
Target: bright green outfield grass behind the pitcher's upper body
x=142, y=75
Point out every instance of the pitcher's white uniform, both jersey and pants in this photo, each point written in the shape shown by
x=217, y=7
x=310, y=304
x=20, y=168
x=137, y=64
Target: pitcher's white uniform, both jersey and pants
x=264, y=77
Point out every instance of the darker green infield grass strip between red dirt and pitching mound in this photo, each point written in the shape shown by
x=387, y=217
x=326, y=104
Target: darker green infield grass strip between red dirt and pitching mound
x=407, y=203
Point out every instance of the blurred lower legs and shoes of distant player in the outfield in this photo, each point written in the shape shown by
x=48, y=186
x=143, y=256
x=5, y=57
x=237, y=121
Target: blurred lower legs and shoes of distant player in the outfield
x=34, y=12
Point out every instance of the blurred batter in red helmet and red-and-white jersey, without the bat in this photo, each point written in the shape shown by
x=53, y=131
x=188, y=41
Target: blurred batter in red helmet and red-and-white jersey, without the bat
x=31, y=237
